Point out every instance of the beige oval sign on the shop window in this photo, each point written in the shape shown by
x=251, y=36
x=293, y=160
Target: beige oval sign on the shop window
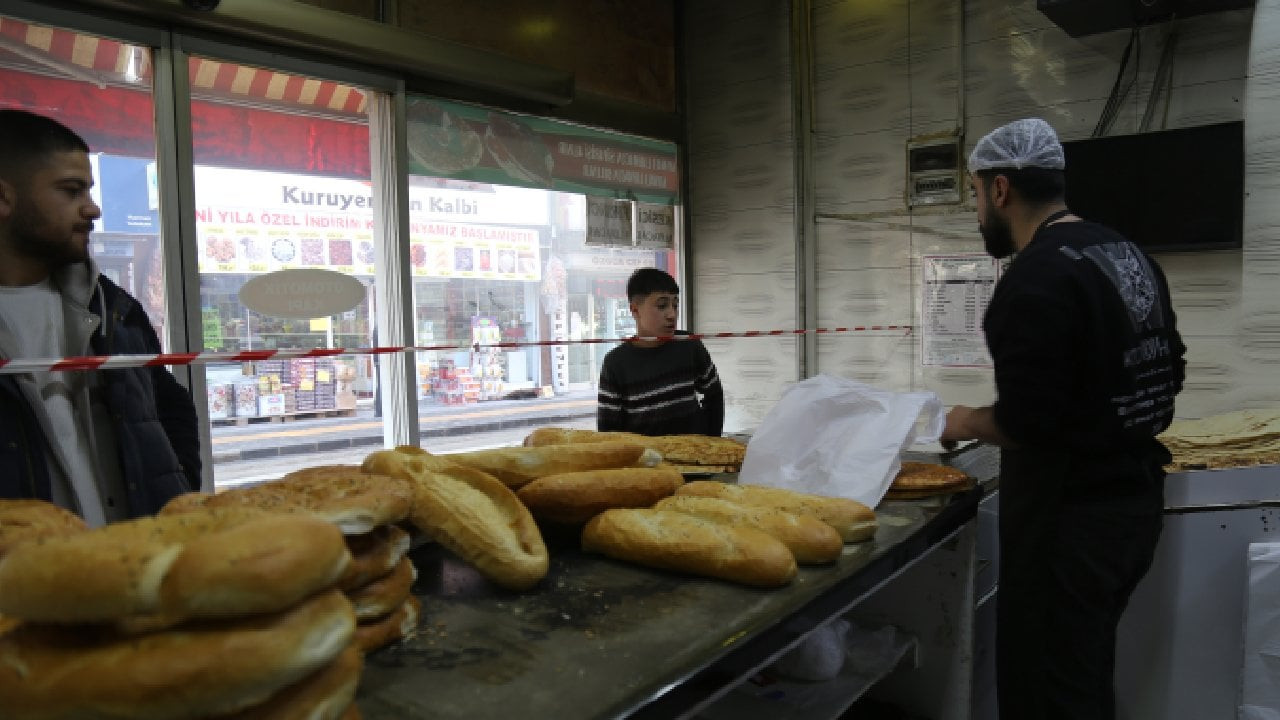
x=303, y=294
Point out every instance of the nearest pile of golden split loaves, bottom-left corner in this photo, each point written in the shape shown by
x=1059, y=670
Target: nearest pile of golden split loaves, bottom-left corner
x=214, y=613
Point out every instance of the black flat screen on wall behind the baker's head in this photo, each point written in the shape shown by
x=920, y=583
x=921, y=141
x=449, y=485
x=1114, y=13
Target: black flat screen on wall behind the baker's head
x=1169, y=190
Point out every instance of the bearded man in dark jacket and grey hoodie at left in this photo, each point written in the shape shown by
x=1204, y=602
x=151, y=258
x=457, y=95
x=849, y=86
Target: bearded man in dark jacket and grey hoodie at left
x=108, y=445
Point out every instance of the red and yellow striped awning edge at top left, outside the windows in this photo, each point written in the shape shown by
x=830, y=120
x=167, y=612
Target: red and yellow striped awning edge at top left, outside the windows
x=97, y=60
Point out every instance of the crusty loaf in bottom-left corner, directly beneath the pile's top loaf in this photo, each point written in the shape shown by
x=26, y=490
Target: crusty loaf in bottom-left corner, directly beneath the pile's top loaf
x=75, y=673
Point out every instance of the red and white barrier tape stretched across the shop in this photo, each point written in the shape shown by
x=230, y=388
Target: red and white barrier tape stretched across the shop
x=118, y=362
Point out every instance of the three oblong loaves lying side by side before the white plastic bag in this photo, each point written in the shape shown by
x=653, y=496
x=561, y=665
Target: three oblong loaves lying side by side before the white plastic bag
x=748, y=535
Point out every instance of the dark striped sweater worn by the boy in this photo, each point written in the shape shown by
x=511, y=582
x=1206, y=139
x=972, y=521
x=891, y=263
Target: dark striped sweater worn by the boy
x=669, y=390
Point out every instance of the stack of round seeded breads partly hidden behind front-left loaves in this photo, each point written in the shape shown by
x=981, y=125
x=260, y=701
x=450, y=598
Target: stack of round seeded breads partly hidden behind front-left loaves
x=368, y=509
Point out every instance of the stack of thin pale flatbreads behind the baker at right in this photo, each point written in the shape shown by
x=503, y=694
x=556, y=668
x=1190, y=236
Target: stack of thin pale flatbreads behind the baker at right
x=1231, y=440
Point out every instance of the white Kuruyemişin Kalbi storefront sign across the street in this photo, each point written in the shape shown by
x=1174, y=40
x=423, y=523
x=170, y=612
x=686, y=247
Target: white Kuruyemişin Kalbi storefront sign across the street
x=253, y=222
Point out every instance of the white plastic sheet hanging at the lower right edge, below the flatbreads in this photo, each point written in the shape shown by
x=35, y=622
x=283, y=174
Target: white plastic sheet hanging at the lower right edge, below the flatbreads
x=1260, y=680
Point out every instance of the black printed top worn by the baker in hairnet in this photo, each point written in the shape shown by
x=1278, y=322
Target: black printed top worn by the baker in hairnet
x=1086, y=347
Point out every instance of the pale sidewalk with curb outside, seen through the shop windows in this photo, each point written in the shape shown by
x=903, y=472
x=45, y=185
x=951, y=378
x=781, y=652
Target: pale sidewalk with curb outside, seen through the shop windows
x=232, y=444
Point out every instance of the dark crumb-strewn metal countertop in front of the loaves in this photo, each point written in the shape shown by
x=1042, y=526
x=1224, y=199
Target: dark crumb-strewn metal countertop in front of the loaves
x=601, y=639
